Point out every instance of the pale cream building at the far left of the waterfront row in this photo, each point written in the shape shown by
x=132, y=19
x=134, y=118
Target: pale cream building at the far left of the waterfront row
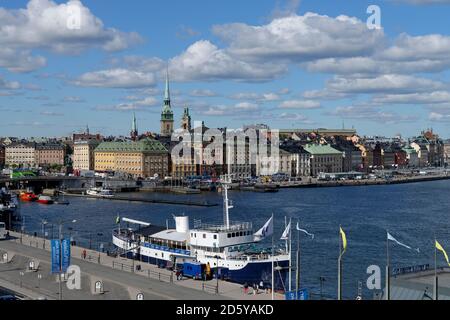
x=21, y=154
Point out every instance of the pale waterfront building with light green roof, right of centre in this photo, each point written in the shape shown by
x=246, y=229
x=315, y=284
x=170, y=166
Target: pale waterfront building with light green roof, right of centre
x=324, y=159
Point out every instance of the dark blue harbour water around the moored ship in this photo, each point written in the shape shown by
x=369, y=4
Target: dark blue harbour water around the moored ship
x=413, y=213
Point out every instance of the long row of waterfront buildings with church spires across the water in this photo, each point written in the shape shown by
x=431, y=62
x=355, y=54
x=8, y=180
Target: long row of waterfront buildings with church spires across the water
x=300, y=152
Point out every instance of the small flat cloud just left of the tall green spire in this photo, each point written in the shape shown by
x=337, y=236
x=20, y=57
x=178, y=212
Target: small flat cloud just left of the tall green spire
x=115, y=78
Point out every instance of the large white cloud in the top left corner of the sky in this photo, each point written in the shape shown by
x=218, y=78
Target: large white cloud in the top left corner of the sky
x=43, y=24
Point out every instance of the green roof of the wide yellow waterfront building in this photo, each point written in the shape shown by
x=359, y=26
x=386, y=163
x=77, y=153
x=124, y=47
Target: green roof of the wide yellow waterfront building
x=146, y=145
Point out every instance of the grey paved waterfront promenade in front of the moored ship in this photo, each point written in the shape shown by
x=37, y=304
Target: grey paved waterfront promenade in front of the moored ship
x=120, y=279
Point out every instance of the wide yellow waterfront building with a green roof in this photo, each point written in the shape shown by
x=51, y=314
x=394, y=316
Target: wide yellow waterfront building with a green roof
x=141, y=159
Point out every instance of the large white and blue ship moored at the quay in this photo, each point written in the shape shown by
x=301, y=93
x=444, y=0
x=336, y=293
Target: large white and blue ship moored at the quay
x=229, y=250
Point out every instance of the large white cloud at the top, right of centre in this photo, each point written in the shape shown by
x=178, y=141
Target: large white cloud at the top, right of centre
x=300, y=38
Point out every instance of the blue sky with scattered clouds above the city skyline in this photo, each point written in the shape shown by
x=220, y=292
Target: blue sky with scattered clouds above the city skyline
x=285, y=63
